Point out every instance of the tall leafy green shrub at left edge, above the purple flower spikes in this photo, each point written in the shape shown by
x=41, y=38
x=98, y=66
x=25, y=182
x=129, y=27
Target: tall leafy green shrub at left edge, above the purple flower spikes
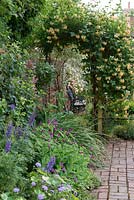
x=16, y=86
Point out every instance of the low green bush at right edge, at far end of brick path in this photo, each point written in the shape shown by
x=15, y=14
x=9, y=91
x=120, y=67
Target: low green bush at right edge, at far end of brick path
x=124, y=131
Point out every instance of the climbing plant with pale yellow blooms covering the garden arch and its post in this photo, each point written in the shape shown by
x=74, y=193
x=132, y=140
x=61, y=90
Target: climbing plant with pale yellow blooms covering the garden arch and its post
x=103, y=39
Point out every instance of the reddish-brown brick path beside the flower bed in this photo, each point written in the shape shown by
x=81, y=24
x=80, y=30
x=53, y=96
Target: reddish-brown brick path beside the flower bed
x=117, y=177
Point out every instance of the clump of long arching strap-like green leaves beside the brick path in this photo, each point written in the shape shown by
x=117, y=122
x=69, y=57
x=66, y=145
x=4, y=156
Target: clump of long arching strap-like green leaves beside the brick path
x=84, y=134
